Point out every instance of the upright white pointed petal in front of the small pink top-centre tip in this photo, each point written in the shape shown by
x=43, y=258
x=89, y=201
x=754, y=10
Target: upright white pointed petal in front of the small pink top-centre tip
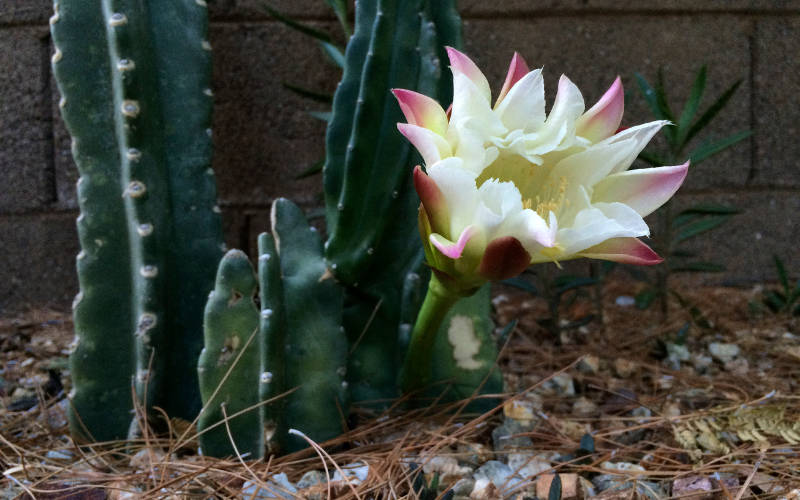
x=523, y=107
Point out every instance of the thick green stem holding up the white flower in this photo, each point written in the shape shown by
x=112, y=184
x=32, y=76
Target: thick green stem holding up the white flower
x=416, y=371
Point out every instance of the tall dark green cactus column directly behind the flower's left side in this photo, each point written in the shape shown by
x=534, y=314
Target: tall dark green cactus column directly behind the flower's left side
x=371, y=201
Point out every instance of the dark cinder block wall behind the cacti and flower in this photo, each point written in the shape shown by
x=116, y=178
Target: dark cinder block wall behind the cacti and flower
x=264, y=136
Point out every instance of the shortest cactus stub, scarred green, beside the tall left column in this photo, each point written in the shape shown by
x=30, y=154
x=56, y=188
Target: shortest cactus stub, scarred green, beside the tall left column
x=229, y=369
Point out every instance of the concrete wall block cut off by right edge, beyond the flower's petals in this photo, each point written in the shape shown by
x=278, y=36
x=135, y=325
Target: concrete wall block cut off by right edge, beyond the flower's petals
x=777, y=115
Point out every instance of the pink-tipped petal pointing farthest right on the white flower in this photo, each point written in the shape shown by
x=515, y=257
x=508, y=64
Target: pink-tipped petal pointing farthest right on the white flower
x=643, y=190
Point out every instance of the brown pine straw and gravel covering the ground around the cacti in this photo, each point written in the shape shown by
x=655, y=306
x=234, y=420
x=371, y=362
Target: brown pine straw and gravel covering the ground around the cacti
x=710, y=427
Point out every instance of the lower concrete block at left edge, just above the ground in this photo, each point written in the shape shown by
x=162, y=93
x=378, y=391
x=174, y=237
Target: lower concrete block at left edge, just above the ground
x=37, y=261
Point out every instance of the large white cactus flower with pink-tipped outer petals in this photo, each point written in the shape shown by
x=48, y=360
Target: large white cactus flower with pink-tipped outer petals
x=506, y=186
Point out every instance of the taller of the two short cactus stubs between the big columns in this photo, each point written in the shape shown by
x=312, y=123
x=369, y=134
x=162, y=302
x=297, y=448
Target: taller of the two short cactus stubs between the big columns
x=315, y=346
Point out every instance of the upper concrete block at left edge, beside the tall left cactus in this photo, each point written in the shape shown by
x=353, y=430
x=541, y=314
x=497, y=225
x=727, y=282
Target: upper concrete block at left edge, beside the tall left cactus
x=25, y=121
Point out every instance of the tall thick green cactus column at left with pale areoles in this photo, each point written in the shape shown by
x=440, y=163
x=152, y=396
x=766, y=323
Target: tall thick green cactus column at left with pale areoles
x=134, y=79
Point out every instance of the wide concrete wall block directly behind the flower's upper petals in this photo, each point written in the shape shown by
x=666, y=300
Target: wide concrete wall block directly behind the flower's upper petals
x=592, y=51
